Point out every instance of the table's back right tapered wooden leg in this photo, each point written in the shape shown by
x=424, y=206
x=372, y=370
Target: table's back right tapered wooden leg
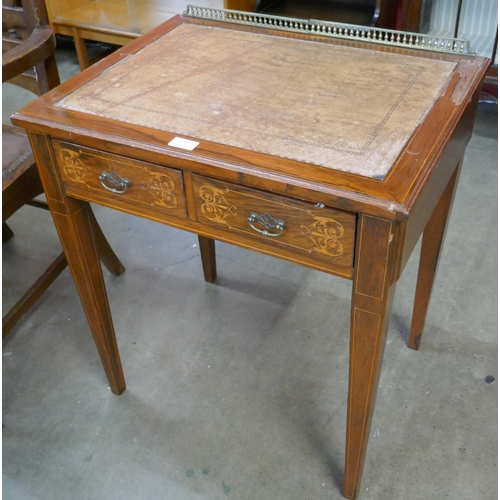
x=432, y=242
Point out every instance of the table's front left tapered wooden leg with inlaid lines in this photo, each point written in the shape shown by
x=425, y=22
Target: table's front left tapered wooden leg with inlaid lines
x=74, y=222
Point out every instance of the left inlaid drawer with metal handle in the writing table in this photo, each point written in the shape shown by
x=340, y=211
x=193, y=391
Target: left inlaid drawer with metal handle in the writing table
x=151, y=186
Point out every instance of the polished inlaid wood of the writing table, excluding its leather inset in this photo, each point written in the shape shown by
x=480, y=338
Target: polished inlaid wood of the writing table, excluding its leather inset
x=359, y=227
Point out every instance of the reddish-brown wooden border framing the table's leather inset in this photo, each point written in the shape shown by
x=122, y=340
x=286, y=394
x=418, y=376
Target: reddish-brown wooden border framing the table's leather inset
x=394, y=196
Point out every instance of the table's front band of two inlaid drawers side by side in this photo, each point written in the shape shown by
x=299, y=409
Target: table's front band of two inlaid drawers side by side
x=302, y=232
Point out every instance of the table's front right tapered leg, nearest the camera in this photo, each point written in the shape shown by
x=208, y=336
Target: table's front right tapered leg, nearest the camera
x=370, y=312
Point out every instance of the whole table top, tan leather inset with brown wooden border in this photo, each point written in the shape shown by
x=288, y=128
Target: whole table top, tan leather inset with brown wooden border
x=362, y=123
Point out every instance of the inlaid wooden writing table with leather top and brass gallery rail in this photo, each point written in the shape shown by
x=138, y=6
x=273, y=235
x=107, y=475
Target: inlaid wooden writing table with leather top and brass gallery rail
x=295, y=139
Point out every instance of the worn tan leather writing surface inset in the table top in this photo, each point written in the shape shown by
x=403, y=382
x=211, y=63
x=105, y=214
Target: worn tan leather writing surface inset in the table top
x=343, y=108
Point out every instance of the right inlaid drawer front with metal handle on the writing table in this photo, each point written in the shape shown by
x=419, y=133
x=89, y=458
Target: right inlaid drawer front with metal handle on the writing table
x=315, y=232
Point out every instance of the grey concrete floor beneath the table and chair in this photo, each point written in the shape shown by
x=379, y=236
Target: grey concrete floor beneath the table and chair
x=237, y=390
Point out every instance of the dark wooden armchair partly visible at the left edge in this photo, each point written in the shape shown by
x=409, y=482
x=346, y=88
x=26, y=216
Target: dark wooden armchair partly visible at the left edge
x=28, y=61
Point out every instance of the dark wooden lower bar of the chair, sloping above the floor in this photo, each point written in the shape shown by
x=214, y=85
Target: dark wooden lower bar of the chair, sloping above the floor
x=33, y=294
